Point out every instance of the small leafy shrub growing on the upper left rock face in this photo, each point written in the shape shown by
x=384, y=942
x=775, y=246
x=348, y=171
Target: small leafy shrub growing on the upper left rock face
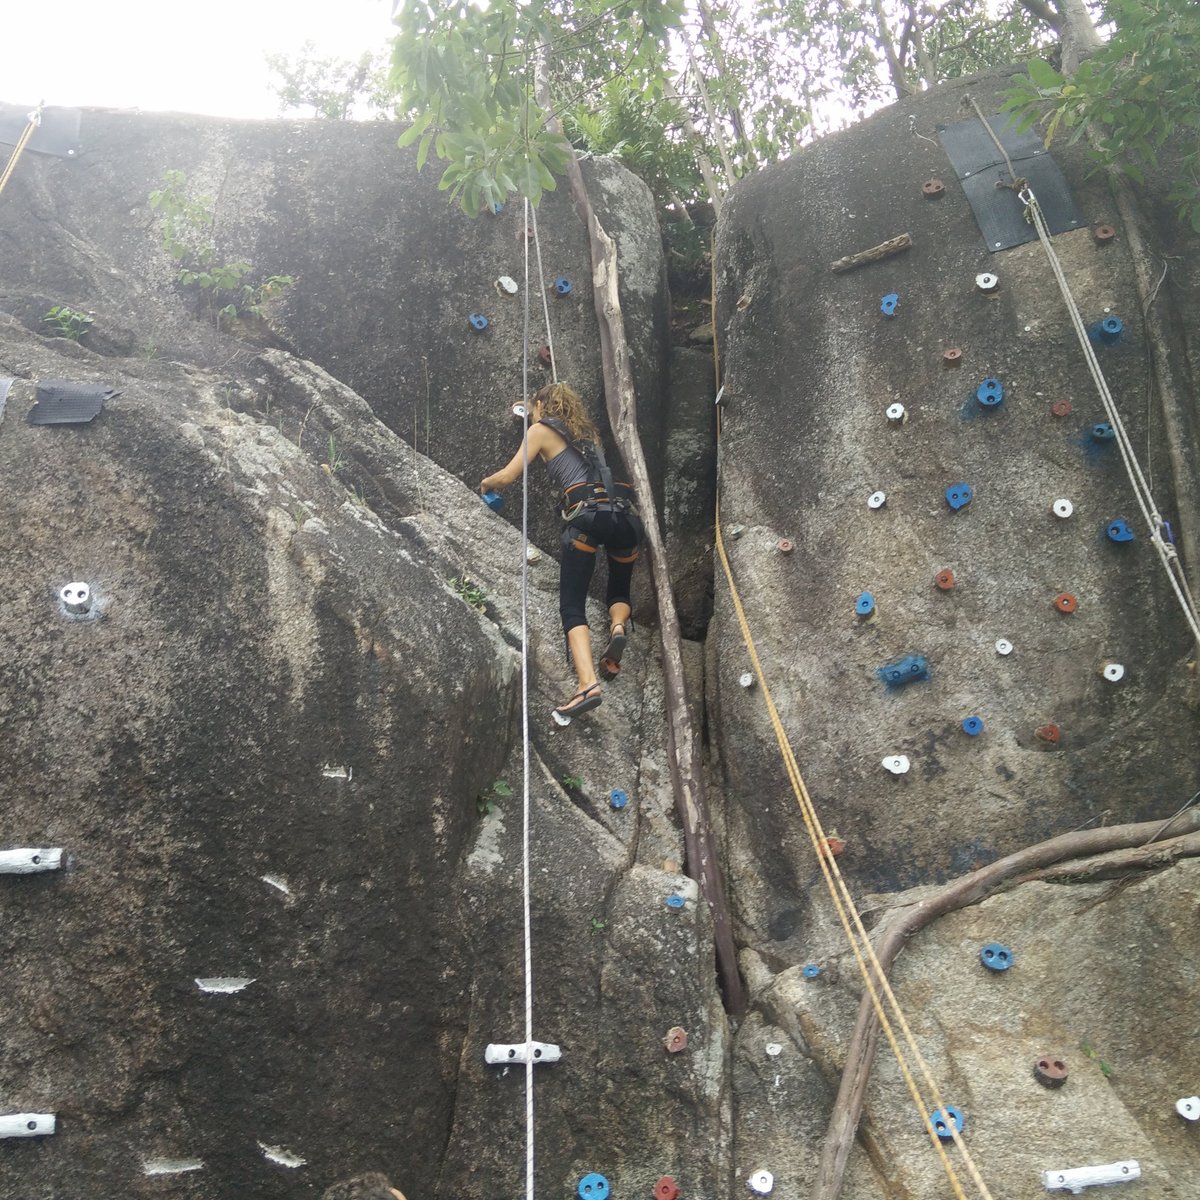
x=188, y=227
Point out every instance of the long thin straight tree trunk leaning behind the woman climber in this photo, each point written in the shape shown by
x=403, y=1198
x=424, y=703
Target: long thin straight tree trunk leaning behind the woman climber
x=687, y=769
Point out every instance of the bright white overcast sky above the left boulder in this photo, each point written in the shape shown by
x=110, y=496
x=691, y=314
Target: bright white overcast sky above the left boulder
x=206, y=57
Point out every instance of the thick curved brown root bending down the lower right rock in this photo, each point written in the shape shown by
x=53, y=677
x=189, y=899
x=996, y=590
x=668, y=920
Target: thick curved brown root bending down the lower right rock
x=892, y=935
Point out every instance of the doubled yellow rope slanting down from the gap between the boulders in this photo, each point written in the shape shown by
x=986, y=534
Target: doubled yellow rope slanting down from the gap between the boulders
x=848, y=913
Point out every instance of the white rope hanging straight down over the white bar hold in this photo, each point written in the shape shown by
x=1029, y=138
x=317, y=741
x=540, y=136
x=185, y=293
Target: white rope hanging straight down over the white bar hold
x=525, y=711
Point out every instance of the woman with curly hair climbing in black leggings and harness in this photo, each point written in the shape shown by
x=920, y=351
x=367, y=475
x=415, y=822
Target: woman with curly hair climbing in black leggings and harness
x=596, y=512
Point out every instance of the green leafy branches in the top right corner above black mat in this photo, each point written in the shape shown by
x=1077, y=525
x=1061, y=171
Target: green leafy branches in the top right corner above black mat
x=1137, y=97
